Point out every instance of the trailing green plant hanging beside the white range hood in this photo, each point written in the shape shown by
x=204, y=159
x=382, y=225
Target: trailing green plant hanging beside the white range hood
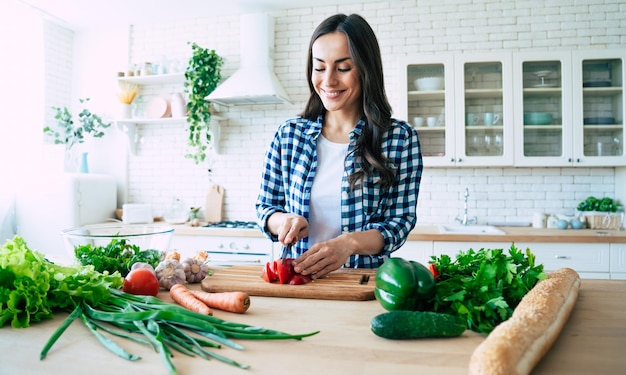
x=202, y=76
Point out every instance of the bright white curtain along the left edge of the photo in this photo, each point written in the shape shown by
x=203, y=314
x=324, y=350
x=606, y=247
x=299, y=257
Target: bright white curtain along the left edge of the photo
x=21, y=103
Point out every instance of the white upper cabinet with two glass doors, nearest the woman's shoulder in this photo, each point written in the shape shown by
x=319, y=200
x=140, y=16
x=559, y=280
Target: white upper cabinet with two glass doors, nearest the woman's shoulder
x=473, y=111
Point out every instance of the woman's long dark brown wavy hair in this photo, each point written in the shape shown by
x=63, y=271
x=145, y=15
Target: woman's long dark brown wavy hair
x=365, y=53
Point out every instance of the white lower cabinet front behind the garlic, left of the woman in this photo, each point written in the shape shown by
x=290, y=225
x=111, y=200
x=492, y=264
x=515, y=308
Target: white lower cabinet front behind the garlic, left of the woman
x=225, y=250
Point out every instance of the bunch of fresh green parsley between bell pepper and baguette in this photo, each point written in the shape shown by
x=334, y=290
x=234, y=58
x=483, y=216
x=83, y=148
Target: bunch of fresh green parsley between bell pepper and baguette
x=483, y=287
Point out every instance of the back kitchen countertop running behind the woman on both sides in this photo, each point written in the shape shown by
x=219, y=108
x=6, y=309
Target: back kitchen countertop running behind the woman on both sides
x=431, y=233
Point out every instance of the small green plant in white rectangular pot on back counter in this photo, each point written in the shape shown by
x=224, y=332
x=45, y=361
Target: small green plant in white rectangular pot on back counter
x=601, y=213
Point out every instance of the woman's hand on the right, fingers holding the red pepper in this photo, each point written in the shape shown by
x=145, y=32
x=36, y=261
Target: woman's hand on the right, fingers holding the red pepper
x=323, y=258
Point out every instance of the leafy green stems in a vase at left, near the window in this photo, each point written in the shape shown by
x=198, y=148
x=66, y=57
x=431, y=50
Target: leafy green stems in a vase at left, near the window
x=68, y=132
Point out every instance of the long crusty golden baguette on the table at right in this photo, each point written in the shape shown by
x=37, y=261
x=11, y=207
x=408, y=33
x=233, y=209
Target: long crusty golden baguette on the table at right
x=515, y=346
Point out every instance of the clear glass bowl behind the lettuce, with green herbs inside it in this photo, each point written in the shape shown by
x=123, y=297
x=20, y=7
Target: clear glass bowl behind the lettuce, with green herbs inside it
x=145, y=236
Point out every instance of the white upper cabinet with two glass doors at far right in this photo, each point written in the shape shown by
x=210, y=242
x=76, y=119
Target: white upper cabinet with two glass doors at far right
x=569, y=108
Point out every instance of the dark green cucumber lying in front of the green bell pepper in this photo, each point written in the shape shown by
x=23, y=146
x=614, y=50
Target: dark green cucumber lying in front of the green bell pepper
x=404, y=324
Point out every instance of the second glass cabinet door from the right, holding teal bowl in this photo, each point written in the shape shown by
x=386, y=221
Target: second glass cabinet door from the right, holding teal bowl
x=544, y=122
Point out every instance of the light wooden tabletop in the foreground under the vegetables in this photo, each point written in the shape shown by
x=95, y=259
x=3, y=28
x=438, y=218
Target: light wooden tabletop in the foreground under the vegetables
x=592, y=342
